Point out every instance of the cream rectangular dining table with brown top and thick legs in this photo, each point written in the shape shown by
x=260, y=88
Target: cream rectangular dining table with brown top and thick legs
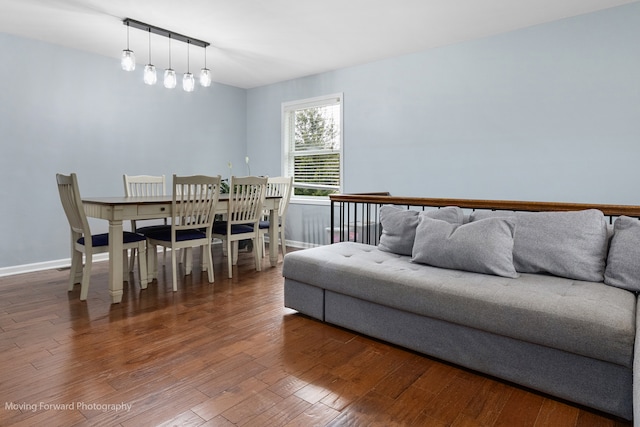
x=116, y=210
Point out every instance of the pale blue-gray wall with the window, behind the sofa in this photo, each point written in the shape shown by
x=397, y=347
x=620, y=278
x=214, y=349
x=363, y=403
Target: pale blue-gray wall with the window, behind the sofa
x=549, y=113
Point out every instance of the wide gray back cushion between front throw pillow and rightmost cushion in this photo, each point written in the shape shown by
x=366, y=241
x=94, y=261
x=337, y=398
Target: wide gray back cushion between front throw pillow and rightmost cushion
x=565, y=244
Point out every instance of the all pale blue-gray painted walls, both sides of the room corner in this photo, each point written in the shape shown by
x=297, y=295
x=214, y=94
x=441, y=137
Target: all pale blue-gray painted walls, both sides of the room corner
x=545, y=113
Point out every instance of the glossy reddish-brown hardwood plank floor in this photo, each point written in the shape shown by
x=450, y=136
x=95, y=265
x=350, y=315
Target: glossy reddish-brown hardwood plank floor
x=227, y=354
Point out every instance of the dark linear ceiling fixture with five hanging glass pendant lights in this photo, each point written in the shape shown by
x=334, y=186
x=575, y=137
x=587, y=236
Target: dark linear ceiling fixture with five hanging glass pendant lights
x=170, y=79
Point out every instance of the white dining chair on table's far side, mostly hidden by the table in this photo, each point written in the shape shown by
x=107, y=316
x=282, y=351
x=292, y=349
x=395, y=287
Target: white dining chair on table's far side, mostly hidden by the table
x=145, y=185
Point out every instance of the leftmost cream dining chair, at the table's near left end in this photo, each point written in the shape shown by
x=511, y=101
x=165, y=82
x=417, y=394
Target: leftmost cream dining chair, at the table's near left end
x=83, y=242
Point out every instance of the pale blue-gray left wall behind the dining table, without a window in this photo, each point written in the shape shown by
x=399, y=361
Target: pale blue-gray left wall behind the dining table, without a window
x=63, y=110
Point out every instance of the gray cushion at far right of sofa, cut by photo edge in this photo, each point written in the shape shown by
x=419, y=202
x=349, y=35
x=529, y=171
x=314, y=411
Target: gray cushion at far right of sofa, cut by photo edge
x=623, y=262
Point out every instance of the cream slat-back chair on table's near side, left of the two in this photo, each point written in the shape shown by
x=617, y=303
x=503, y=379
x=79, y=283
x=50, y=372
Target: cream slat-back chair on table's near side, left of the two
x=192, y=214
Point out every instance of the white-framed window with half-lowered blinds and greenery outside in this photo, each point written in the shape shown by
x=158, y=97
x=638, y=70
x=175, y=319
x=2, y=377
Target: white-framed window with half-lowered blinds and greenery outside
x=312, y=145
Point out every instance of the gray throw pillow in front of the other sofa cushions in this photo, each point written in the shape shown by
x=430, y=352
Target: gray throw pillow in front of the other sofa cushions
x=484, y=246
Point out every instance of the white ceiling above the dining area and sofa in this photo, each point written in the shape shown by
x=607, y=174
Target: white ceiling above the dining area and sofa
x=258, y=42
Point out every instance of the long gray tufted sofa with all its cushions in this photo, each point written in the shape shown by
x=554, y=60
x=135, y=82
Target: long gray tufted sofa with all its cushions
x=543, y=299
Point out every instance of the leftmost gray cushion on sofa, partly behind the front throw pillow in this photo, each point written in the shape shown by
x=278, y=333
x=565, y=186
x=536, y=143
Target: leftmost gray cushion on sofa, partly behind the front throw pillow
x=399, y=226
